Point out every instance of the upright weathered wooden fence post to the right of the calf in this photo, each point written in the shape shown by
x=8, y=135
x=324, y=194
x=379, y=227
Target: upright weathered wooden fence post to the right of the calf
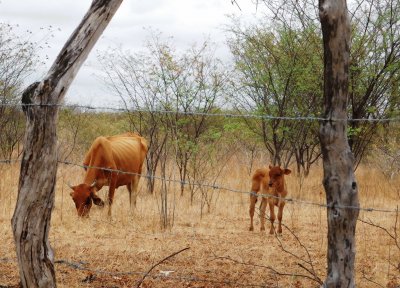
x=339, y=181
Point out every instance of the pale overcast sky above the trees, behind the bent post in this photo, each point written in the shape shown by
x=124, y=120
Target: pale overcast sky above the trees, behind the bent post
x=187, y=21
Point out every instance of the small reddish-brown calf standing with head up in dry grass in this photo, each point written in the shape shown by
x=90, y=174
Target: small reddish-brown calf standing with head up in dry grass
x=272, y=183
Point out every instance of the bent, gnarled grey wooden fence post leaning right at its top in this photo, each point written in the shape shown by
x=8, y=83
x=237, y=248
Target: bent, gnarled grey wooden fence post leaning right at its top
x=31, y=219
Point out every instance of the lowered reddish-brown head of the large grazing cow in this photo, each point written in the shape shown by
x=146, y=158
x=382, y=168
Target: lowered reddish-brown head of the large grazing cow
x=83, y=195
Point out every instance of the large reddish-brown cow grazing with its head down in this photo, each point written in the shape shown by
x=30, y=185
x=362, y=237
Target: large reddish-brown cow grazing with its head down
x=125, y=152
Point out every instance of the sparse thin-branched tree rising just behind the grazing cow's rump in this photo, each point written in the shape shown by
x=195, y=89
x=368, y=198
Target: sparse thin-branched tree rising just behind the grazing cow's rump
x=135, y=79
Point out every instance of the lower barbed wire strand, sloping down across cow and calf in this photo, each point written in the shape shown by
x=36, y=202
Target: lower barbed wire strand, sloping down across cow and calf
x=219, y=187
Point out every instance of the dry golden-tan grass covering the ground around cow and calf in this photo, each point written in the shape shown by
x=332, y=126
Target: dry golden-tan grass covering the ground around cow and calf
x=100, y=252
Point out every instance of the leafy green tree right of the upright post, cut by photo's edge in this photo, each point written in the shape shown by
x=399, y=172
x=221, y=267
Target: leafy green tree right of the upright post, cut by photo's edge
x=374, y=84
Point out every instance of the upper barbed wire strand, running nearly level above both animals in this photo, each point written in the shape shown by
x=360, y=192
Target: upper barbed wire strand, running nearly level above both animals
x=208, y=114
